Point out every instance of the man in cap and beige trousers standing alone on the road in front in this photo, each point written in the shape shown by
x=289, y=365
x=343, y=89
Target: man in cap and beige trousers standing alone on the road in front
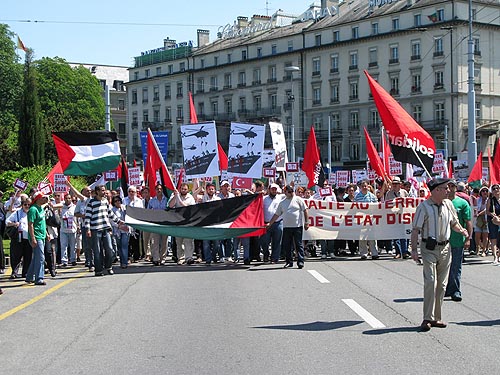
x=434, y=219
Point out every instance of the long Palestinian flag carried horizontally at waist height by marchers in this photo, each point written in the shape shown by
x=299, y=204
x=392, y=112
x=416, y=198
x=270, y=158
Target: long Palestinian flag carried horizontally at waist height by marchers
x=227, y=218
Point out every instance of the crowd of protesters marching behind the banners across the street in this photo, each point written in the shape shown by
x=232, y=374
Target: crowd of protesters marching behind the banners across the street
x=88, y=226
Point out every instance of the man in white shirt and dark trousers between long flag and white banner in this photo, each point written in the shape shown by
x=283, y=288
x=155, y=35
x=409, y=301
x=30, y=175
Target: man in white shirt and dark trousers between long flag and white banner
x=291, y=210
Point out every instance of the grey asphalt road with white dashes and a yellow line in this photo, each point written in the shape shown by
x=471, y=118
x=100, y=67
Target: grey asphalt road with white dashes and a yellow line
x=344, y=316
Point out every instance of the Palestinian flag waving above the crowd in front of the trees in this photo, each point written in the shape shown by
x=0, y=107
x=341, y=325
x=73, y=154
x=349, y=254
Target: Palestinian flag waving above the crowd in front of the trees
x=87, y=153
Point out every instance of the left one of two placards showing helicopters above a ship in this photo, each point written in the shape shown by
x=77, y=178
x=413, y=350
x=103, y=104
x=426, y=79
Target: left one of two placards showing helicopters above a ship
x=199, y=146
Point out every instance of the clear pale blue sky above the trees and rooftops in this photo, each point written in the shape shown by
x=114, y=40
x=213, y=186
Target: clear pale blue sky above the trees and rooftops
x=111, y=32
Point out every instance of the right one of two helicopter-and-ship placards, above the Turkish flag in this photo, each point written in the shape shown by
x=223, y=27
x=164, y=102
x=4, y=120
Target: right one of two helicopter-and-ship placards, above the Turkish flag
x=246, y=147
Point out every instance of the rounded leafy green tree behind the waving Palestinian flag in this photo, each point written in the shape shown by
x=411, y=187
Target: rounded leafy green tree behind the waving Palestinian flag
x=70, y=98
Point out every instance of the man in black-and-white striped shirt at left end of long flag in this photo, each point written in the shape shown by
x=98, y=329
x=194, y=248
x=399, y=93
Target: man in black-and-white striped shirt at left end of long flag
x=98, y=228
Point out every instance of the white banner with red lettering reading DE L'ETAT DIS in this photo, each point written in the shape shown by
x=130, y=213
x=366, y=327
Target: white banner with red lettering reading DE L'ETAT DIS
x=359, y=220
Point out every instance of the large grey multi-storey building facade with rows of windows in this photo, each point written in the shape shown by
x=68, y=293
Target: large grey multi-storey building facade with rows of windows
x=308, y=70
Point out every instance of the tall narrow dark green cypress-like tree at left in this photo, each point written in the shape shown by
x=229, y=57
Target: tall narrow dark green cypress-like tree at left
x=31, y=135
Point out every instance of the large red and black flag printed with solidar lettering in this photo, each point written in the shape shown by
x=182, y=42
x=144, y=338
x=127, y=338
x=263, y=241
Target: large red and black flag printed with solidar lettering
x=410, y=143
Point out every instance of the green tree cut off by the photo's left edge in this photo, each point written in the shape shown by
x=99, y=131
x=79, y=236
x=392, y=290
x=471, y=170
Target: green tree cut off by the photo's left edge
x=10, y=91
